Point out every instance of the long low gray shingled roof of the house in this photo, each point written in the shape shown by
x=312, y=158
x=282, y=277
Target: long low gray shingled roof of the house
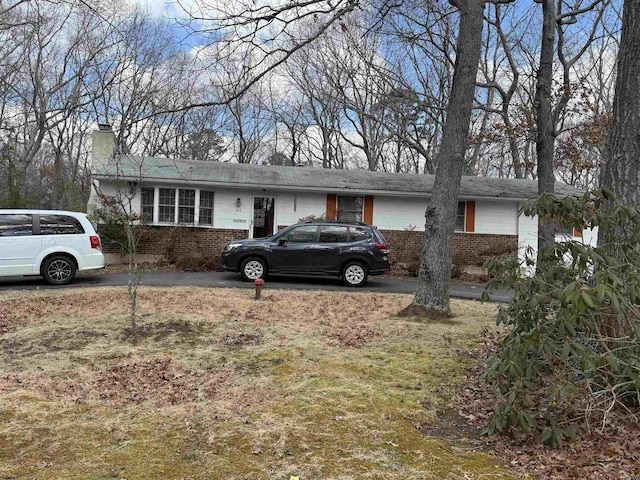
x=243, y=176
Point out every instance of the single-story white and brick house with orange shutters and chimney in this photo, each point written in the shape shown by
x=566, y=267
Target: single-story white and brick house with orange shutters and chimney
x=203, y=205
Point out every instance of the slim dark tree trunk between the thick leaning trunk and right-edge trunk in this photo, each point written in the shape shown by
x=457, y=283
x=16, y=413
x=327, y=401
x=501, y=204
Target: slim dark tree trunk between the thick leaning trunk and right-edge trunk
x=545, y=126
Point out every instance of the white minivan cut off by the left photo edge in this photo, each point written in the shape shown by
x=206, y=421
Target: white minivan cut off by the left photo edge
x=52, y=243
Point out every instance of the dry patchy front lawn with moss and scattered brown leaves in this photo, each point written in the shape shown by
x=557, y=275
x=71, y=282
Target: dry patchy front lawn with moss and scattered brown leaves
x=213, y=384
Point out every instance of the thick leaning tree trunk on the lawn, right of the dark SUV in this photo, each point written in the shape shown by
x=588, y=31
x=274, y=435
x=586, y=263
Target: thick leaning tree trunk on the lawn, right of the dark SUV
x=434, y=277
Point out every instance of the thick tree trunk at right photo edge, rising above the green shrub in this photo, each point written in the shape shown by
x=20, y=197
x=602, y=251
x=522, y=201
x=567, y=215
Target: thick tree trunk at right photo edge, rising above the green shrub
x=621, y=170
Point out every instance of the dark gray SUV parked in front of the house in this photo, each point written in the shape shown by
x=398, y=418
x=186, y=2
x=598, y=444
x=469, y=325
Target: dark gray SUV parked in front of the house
x=351, y=251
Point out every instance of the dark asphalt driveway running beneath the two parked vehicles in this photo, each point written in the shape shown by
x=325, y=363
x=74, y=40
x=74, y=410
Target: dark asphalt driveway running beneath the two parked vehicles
x=156, y=278
